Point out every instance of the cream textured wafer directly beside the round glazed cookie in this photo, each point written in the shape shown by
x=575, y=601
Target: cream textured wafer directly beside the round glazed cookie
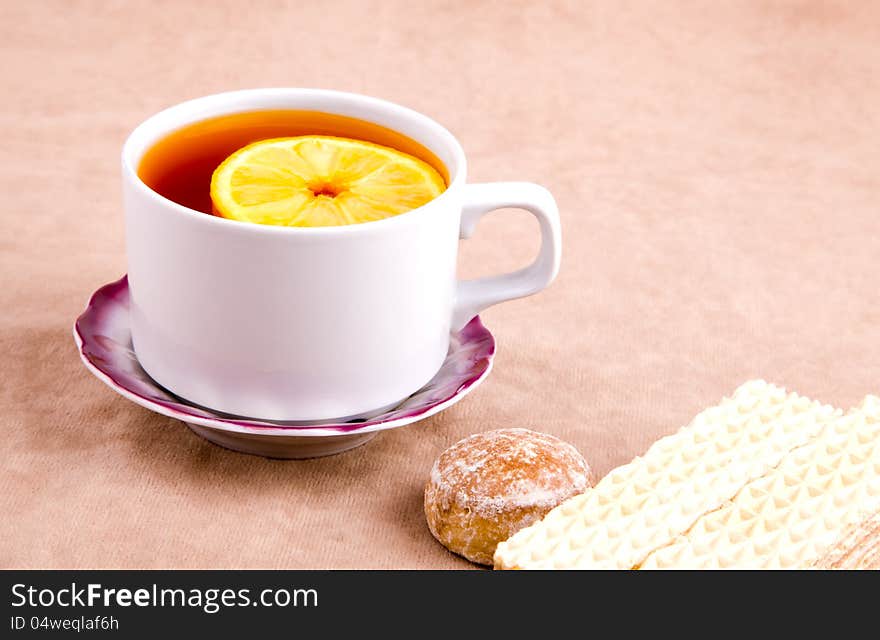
x=647, y=503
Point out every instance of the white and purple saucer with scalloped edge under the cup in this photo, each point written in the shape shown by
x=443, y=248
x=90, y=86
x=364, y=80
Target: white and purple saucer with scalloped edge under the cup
x=103, y=337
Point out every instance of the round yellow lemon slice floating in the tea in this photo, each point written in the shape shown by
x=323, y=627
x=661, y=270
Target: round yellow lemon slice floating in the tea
x=320, y=181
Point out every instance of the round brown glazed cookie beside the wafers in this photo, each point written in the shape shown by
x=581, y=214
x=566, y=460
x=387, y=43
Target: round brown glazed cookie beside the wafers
x=488, y=486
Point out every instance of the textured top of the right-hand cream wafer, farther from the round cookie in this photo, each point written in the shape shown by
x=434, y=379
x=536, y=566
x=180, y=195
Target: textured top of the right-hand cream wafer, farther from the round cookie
x=793, y=515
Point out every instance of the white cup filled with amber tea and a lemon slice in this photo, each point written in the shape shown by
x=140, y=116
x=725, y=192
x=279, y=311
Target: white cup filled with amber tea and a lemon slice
x=269, y=318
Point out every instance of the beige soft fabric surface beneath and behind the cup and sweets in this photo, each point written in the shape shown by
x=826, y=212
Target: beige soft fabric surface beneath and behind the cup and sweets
x=716, y=166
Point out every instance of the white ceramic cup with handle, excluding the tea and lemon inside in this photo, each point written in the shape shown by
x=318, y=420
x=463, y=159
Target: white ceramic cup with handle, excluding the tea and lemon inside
x=300, y=324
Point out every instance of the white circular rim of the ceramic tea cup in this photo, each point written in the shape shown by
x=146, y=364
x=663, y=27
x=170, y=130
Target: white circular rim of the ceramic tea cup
x=168, y=120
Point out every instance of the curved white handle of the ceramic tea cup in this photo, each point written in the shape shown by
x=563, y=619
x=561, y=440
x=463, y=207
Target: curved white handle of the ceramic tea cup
x=472, y=296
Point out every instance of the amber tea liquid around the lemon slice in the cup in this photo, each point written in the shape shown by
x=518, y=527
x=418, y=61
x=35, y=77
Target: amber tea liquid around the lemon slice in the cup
x=180, y=165
